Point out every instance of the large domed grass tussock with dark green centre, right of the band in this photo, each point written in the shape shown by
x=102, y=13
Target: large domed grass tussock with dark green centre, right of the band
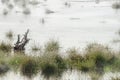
x=100, y=55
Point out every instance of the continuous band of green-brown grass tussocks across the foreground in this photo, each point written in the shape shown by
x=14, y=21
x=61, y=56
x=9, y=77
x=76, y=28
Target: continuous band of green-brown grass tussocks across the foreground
x=96, y=59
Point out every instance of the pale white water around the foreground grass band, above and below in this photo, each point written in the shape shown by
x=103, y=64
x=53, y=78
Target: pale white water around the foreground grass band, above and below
x=74, y=25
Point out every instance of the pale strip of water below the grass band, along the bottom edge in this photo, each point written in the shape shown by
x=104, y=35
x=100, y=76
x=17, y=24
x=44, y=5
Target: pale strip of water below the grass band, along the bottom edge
x=67, y=75
